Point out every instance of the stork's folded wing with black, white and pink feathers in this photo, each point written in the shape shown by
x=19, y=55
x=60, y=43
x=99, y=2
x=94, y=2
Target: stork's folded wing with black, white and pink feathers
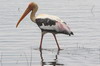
x=48, y=24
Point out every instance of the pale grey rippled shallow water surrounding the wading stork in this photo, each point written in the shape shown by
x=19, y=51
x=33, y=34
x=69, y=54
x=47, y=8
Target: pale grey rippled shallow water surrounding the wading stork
x=19, y=46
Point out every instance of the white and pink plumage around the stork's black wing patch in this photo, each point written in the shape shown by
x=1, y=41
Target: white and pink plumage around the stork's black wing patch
x=59, y=26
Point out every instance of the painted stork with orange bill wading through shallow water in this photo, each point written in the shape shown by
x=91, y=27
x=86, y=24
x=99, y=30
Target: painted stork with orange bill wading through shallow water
x=47, y=23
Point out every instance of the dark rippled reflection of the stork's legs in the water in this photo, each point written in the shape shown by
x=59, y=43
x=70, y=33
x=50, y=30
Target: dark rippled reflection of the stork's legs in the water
x=52, y=63
